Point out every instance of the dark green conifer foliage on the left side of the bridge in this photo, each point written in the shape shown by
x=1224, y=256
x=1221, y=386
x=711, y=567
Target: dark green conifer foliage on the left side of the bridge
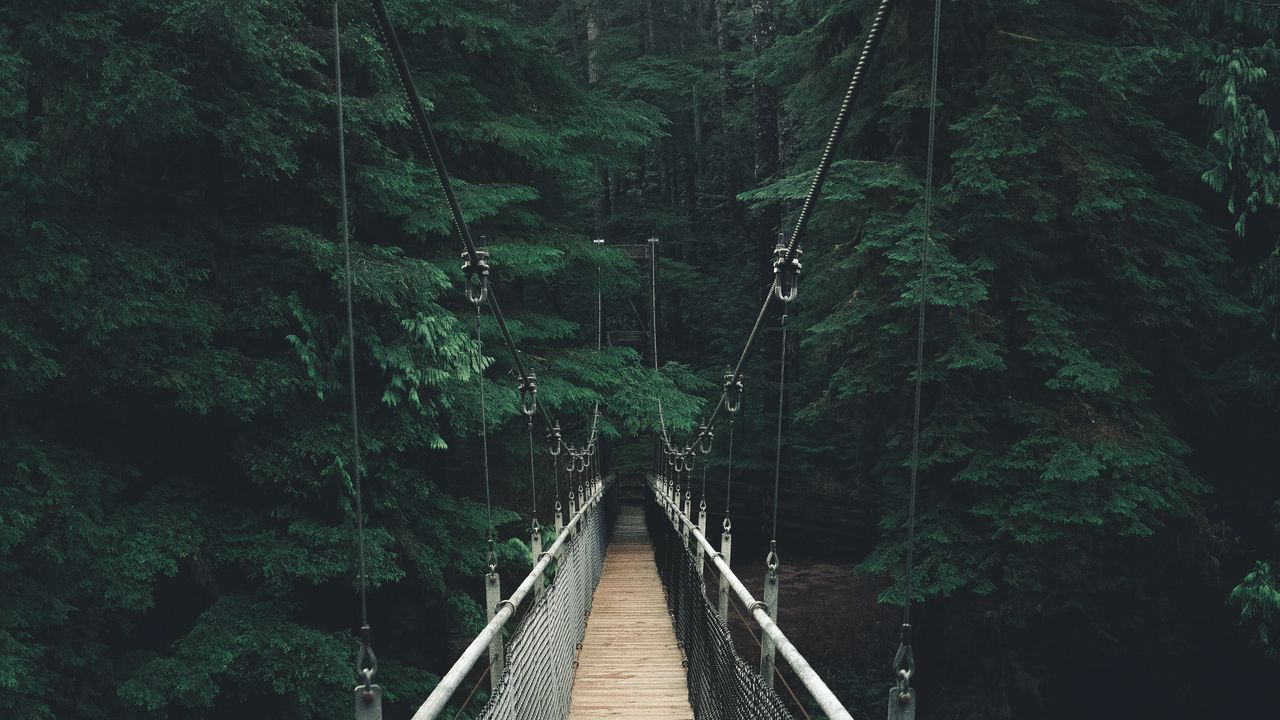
x=177, y=512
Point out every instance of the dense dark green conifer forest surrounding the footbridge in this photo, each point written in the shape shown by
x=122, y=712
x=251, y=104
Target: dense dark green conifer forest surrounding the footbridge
x=1098, y=525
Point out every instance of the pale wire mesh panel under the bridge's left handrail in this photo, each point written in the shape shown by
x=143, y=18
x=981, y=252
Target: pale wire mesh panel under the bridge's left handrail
x=538, y=681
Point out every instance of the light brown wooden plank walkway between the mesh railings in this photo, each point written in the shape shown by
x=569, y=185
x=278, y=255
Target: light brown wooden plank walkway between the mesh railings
x=630, y=666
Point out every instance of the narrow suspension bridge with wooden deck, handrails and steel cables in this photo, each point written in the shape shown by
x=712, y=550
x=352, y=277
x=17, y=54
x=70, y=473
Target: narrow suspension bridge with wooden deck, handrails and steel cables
x=625, y=614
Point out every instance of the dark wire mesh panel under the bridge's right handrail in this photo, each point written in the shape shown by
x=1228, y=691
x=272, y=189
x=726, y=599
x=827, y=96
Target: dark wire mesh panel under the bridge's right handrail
x=721, y=685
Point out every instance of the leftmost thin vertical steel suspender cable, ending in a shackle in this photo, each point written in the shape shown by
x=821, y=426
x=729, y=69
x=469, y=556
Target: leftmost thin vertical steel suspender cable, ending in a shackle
x=367, y=651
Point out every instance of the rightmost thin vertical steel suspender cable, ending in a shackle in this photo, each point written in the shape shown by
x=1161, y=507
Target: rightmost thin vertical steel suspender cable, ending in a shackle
x=906, y=654
